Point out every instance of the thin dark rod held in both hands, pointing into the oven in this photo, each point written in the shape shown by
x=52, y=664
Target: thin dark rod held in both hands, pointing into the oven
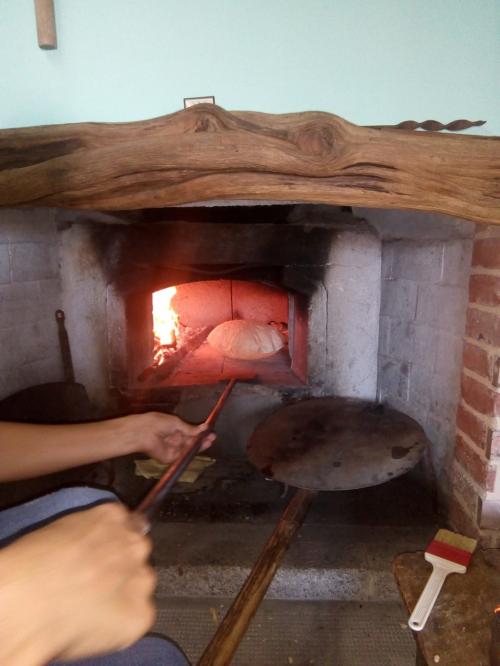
x=172, y=474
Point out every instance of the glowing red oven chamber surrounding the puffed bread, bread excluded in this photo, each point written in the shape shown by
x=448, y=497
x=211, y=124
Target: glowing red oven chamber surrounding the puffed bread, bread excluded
x=197, y=308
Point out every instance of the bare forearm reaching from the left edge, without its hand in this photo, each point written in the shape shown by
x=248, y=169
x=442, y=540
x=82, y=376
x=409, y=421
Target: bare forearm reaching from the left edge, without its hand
x=28, y=450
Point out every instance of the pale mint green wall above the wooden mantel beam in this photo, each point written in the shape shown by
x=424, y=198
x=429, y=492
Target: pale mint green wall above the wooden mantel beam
x=370, y=61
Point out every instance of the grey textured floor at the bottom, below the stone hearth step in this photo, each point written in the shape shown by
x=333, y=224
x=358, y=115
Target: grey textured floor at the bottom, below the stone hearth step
x=300, y=633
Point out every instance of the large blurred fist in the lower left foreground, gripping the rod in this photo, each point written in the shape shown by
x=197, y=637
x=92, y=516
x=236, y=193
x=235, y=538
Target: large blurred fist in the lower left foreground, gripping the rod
x=80, y=586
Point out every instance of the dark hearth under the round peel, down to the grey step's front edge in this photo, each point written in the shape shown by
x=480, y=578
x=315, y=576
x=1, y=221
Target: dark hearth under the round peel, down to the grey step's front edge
x=208, y=535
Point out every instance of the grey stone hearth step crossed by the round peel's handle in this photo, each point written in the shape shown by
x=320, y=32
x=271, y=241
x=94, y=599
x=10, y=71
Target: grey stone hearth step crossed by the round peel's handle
x=341, y=563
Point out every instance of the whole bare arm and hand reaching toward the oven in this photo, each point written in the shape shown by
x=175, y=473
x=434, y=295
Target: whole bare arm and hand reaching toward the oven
x=27, y=451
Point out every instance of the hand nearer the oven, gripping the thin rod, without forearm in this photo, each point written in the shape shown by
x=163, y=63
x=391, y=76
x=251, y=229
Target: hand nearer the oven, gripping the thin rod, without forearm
x=161, y=436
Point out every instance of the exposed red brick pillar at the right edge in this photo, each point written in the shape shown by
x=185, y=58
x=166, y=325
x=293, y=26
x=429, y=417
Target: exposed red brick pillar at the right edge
x=475, y=505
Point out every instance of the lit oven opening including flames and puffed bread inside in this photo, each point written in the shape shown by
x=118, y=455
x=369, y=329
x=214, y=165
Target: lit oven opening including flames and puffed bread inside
x=208, y=331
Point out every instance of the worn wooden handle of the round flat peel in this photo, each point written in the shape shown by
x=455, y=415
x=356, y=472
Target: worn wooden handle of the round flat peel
x=225, y=642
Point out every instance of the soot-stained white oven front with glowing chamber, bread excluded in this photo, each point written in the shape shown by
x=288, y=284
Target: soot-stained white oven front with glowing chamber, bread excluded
x=262, y=264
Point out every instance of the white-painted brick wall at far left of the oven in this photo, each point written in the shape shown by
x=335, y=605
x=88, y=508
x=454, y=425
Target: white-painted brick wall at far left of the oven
x=29, y=295
